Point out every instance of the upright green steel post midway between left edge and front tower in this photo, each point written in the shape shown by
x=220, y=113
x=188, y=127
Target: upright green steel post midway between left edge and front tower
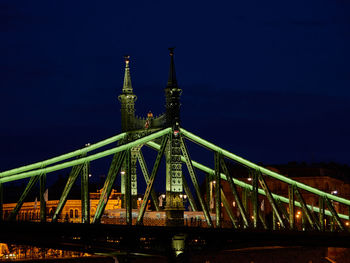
x=85, y=199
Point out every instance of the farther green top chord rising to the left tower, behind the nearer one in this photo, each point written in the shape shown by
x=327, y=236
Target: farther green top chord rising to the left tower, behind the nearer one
x=63, y=156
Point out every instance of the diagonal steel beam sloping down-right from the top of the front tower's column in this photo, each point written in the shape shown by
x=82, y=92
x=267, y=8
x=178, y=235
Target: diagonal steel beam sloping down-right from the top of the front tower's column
x=195, y=182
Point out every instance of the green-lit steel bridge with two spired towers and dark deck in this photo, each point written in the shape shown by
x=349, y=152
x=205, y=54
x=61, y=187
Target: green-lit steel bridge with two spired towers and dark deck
x=249, y=224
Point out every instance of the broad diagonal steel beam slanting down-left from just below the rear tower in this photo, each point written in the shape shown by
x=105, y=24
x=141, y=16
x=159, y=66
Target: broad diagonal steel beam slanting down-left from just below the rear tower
x=114, y=169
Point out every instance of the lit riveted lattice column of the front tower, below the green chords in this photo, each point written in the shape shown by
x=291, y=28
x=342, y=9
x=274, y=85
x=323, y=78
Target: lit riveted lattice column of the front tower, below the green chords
x=174, y=186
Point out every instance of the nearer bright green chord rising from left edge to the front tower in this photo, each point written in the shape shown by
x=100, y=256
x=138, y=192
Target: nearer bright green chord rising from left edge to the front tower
x=86, y=159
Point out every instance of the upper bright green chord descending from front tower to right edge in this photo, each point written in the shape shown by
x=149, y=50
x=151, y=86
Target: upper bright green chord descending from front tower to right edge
x=275, y=175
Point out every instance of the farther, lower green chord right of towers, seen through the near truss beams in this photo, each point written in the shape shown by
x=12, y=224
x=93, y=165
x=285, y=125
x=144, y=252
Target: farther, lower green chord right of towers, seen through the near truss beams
x=245, y=185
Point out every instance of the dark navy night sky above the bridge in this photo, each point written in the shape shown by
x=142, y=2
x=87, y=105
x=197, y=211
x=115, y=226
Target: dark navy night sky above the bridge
x=267, y=80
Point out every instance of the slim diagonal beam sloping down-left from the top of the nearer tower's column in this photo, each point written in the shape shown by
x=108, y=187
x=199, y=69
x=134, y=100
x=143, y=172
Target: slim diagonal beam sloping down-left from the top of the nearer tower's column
x=151, y=180
